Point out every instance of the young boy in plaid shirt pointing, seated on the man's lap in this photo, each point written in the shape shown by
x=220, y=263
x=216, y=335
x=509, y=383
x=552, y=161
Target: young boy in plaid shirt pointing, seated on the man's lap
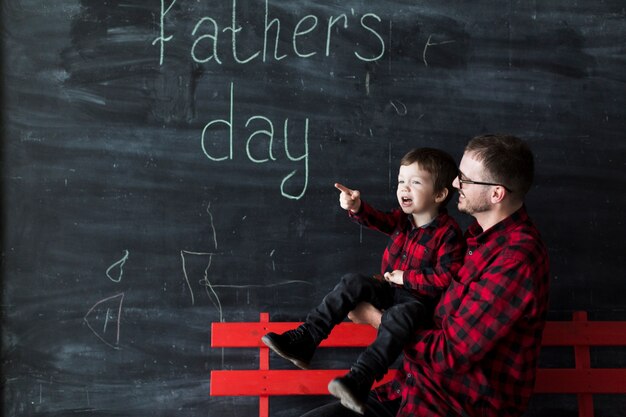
x=424, y=251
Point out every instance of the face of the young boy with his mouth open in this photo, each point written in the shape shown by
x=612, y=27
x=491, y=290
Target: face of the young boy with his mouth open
x=416, y=193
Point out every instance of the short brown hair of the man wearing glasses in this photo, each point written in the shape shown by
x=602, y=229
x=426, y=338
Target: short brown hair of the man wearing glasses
x=507, y=159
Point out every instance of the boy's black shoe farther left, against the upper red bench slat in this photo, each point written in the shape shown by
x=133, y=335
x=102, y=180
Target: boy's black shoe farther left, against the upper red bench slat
x=295, y=345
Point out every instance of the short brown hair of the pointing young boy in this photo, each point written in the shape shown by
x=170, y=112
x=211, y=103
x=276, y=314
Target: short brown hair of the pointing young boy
x=441, y=166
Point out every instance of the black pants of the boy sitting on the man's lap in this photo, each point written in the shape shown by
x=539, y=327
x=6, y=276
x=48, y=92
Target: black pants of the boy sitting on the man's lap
x=403, y=314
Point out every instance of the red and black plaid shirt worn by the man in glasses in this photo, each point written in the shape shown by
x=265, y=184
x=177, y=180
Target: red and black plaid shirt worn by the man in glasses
x=480, y=358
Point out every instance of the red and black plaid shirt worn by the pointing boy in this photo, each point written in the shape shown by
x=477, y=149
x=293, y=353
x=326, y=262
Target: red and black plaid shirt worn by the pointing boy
x=428, y=255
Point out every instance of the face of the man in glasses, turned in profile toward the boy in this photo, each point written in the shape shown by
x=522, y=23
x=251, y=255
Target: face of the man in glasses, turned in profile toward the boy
x=473, y=198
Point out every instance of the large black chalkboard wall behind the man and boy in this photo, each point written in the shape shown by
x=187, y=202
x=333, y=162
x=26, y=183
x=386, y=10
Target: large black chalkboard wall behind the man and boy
x=168, y=164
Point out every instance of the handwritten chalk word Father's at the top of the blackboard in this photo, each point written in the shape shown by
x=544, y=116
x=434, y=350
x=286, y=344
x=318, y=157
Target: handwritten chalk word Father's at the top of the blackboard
x=207, y=33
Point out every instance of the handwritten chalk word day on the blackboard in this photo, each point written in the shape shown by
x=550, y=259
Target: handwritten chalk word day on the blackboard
x=256, y=140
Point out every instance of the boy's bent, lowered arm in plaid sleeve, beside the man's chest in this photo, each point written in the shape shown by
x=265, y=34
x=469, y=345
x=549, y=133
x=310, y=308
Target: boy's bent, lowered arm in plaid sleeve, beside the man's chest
x=432, y=280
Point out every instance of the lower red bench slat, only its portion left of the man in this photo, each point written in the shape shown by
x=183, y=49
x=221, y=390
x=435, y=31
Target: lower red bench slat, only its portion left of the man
x=276, y=382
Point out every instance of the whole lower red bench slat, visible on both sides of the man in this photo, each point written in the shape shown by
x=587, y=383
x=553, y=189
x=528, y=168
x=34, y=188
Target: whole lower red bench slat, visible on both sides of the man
x=315, y=382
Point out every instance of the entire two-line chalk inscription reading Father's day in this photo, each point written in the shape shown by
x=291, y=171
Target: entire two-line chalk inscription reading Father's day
x=263, y=145
